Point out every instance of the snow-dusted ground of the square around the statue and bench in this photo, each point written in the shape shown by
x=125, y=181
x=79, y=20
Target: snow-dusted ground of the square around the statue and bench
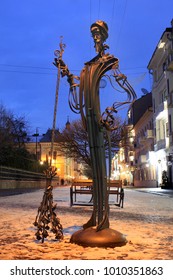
x=146, y=220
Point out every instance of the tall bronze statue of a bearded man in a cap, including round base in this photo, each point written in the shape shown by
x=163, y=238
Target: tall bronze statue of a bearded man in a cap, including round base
x=84, y=99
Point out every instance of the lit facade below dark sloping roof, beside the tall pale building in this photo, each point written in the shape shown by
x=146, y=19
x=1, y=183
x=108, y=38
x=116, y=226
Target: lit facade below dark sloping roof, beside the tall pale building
x=144, y=156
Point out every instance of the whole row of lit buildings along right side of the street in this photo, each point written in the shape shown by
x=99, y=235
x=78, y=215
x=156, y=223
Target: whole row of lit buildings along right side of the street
x=148, y=156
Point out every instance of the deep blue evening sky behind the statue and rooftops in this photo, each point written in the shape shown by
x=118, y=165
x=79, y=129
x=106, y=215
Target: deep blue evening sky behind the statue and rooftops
x=30, y=31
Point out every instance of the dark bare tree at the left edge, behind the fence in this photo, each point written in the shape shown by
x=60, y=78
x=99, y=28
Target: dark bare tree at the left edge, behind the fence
x=13, y=135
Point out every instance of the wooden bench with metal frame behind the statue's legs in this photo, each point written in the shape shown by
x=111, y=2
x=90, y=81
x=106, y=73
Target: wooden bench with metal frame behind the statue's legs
x=85, y=187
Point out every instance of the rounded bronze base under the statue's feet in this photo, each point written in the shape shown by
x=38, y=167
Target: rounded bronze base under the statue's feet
x=104, y=238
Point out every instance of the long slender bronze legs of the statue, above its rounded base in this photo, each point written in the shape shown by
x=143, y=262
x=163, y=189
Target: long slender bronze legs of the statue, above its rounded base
x=100, y=199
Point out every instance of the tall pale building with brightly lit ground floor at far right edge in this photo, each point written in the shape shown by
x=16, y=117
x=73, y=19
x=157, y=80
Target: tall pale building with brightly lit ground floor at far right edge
x=161, y=68
